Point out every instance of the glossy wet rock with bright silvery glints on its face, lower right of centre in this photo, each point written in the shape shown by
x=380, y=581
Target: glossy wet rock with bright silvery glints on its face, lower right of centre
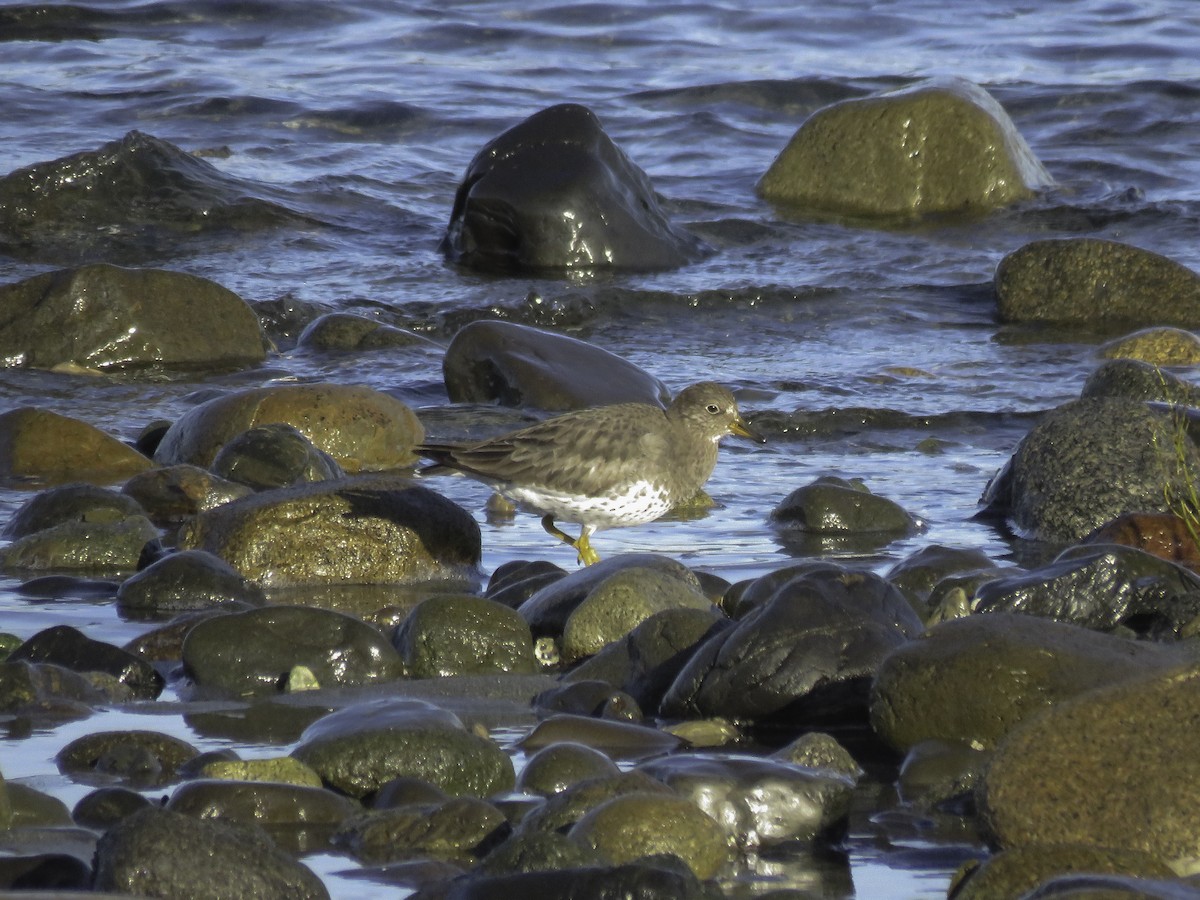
x=758, y=803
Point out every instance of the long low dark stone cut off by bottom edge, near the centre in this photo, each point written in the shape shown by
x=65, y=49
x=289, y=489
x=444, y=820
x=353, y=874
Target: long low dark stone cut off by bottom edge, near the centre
x=643, y=880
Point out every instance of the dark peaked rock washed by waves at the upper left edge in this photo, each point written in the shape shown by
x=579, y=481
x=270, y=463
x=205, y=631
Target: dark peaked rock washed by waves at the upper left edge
x=129, y=200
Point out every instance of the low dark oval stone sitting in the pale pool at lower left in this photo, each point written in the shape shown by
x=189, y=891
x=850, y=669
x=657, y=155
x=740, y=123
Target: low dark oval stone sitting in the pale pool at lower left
x=141, y=759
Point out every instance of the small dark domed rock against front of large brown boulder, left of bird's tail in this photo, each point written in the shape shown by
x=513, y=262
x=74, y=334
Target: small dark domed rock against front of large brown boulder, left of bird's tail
x=274, y=455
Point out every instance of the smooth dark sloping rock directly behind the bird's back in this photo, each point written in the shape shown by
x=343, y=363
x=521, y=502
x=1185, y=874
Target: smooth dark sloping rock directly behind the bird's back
x=521, y=367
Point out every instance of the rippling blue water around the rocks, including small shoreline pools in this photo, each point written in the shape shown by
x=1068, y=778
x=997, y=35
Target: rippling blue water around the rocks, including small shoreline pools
x=865, y=353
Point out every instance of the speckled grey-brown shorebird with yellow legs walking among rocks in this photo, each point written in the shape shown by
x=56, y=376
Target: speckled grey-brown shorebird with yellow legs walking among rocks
x=605, y=467
